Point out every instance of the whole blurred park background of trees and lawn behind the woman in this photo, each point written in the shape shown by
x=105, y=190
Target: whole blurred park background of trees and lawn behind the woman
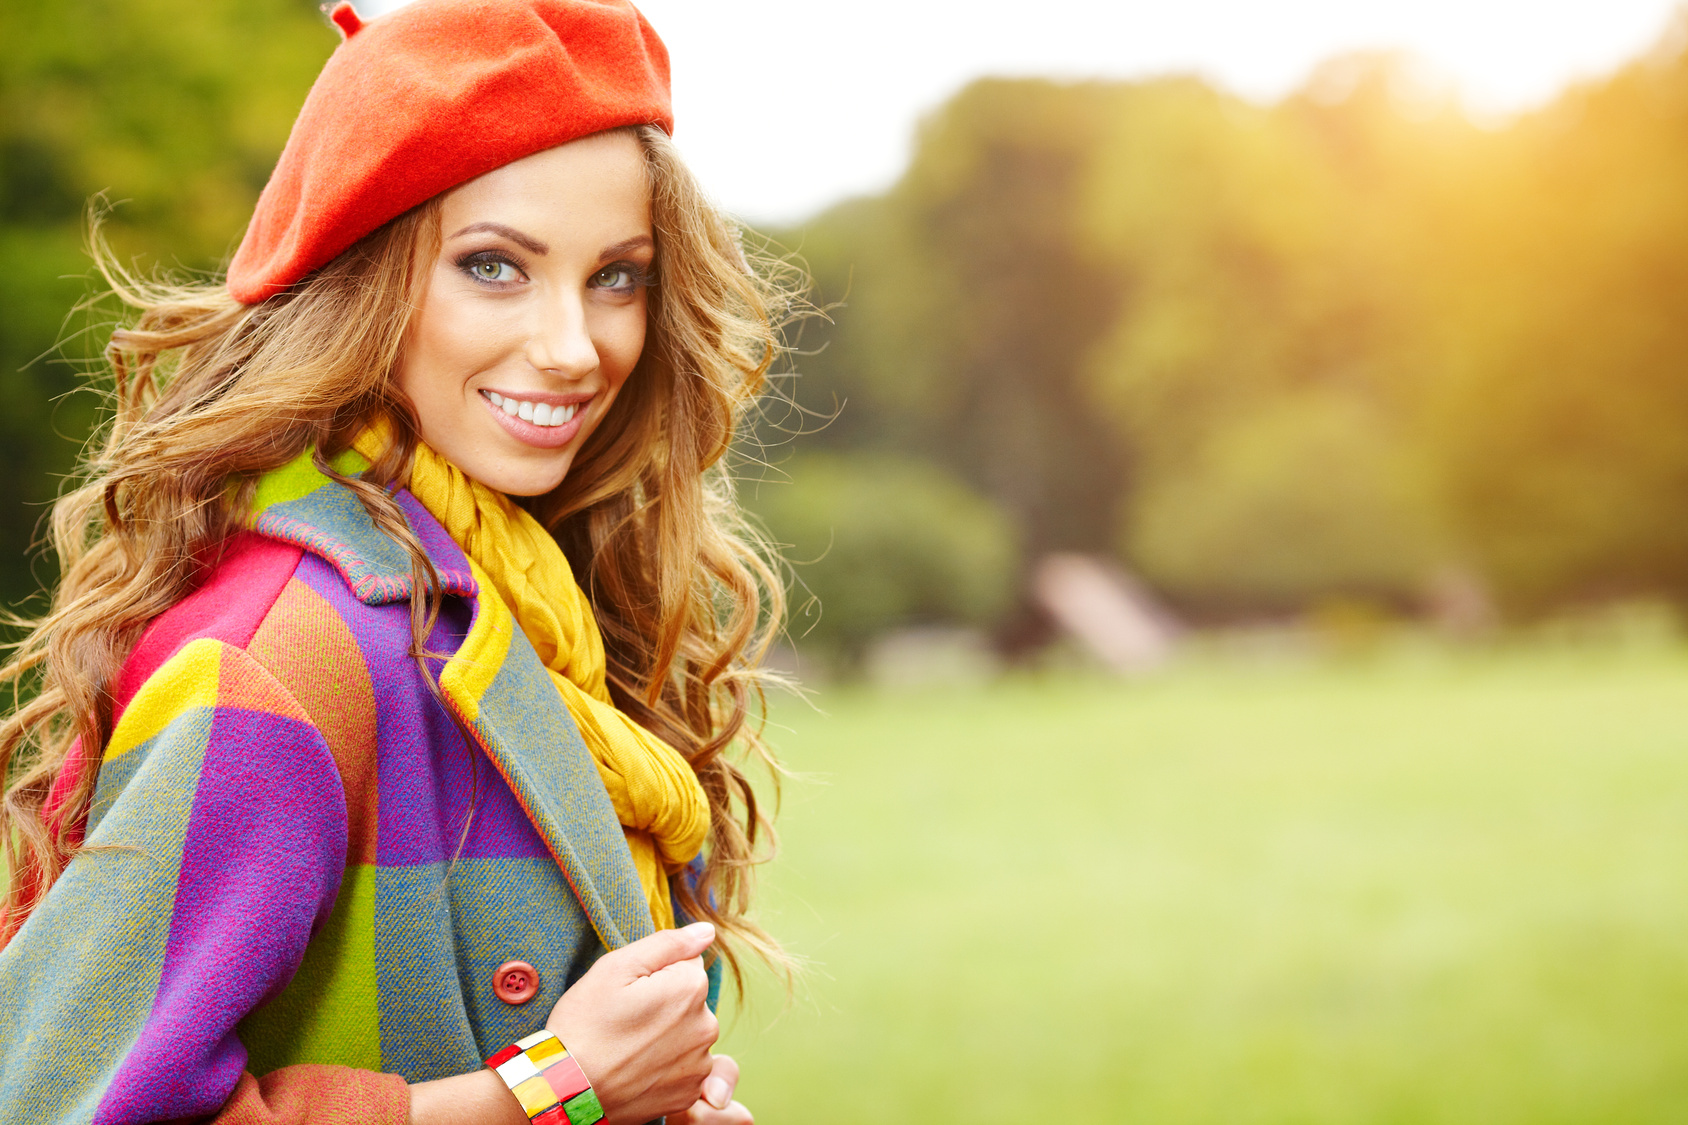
x=1380, y=398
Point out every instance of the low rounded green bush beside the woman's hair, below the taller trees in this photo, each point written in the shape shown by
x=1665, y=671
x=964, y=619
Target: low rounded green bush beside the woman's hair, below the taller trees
x=882, y=541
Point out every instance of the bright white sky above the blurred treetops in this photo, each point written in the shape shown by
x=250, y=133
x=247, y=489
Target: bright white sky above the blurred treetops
x=784, y=107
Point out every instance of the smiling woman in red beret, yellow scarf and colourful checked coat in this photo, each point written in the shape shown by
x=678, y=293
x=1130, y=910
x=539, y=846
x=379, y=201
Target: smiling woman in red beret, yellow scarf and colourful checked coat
x=342, y=785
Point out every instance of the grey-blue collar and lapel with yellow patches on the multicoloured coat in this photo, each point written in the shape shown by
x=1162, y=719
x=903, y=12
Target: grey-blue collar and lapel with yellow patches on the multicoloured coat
x=495, y=682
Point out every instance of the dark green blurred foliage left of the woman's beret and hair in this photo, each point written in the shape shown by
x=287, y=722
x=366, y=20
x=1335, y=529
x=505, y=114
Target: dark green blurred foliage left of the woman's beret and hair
x=178, y=111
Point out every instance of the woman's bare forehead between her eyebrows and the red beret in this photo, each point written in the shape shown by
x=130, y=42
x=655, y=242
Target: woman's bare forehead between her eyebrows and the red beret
x=588, y=190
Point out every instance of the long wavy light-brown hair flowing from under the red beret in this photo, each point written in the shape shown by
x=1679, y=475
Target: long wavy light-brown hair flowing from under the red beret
x=210, y=394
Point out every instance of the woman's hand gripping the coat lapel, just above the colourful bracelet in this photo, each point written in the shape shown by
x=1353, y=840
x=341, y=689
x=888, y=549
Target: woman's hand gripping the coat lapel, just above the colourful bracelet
x=641, y=1028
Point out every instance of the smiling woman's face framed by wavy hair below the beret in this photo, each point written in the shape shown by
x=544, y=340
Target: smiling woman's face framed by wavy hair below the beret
x=534, y=312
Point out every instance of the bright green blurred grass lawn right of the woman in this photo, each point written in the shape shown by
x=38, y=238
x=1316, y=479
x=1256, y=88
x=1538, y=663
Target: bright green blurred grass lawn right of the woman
x=1437, y=889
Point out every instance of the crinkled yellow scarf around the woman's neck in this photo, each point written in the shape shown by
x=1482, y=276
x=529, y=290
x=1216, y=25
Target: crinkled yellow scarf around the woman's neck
x=663, y=810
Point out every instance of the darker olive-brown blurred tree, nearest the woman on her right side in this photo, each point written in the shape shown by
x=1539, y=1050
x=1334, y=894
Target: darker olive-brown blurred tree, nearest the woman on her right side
x=966, y=307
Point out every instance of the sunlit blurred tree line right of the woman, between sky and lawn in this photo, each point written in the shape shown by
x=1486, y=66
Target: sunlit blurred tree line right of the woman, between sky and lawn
x=1135, y=315
